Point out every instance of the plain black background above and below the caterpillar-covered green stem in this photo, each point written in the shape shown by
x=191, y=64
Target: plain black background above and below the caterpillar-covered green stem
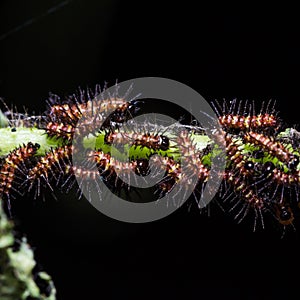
x=221, y=52
